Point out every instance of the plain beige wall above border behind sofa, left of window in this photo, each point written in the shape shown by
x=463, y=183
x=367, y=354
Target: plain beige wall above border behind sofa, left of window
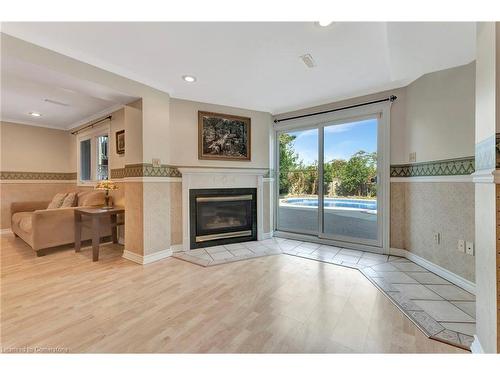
x=35, y=149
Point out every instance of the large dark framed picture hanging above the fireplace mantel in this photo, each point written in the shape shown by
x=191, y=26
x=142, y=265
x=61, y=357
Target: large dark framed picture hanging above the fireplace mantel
x=223, y=137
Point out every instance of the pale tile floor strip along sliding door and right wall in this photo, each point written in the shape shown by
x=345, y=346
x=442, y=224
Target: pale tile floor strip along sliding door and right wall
x=396, y=278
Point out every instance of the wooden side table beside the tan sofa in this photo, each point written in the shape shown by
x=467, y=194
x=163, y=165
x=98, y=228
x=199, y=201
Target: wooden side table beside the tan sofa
x=96, y=214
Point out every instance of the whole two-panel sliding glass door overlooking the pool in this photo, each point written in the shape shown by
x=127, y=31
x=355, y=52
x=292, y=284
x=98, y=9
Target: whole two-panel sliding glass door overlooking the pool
x=329, y=183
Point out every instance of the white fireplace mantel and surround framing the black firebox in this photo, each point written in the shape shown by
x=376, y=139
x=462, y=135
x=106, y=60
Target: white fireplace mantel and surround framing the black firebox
x=220, y=178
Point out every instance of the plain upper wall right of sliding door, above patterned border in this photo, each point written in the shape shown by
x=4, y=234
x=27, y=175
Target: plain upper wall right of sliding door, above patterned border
x=440, y=115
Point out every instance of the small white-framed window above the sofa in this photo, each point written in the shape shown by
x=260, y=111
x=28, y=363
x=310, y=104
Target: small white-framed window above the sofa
x=93, y=152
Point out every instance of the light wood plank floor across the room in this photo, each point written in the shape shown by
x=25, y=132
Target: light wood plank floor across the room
x=272, y=304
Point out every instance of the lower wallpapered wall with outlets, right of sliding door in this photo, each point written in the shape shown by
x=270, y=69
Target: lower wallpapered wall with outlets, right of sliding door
x=419, y=209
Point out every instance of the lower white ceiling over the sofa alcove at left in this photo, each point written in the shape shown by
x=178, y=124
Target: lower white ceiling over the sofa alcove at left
x=26, y=88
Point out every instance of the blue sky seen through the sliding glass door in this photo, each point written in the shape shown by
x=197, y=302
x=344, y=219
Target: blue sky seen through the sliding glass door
x=341, y=141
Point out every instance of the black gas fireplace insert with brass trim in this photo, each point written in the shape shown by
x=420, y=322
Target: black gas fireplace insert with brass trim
x=222, y=216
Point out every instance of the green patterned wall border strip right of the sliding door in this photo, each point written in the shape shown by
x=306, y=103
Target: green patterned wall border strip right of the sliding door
x=448, y=167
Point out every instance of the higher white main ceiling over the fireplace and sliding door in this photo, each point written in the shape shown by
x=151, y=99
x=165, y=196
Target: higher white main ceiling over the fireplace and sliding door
x=257, y=65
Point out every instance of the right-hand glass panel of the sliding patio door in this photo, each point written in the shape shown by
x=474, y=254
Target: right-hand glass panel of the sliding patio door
x=349, y=207
